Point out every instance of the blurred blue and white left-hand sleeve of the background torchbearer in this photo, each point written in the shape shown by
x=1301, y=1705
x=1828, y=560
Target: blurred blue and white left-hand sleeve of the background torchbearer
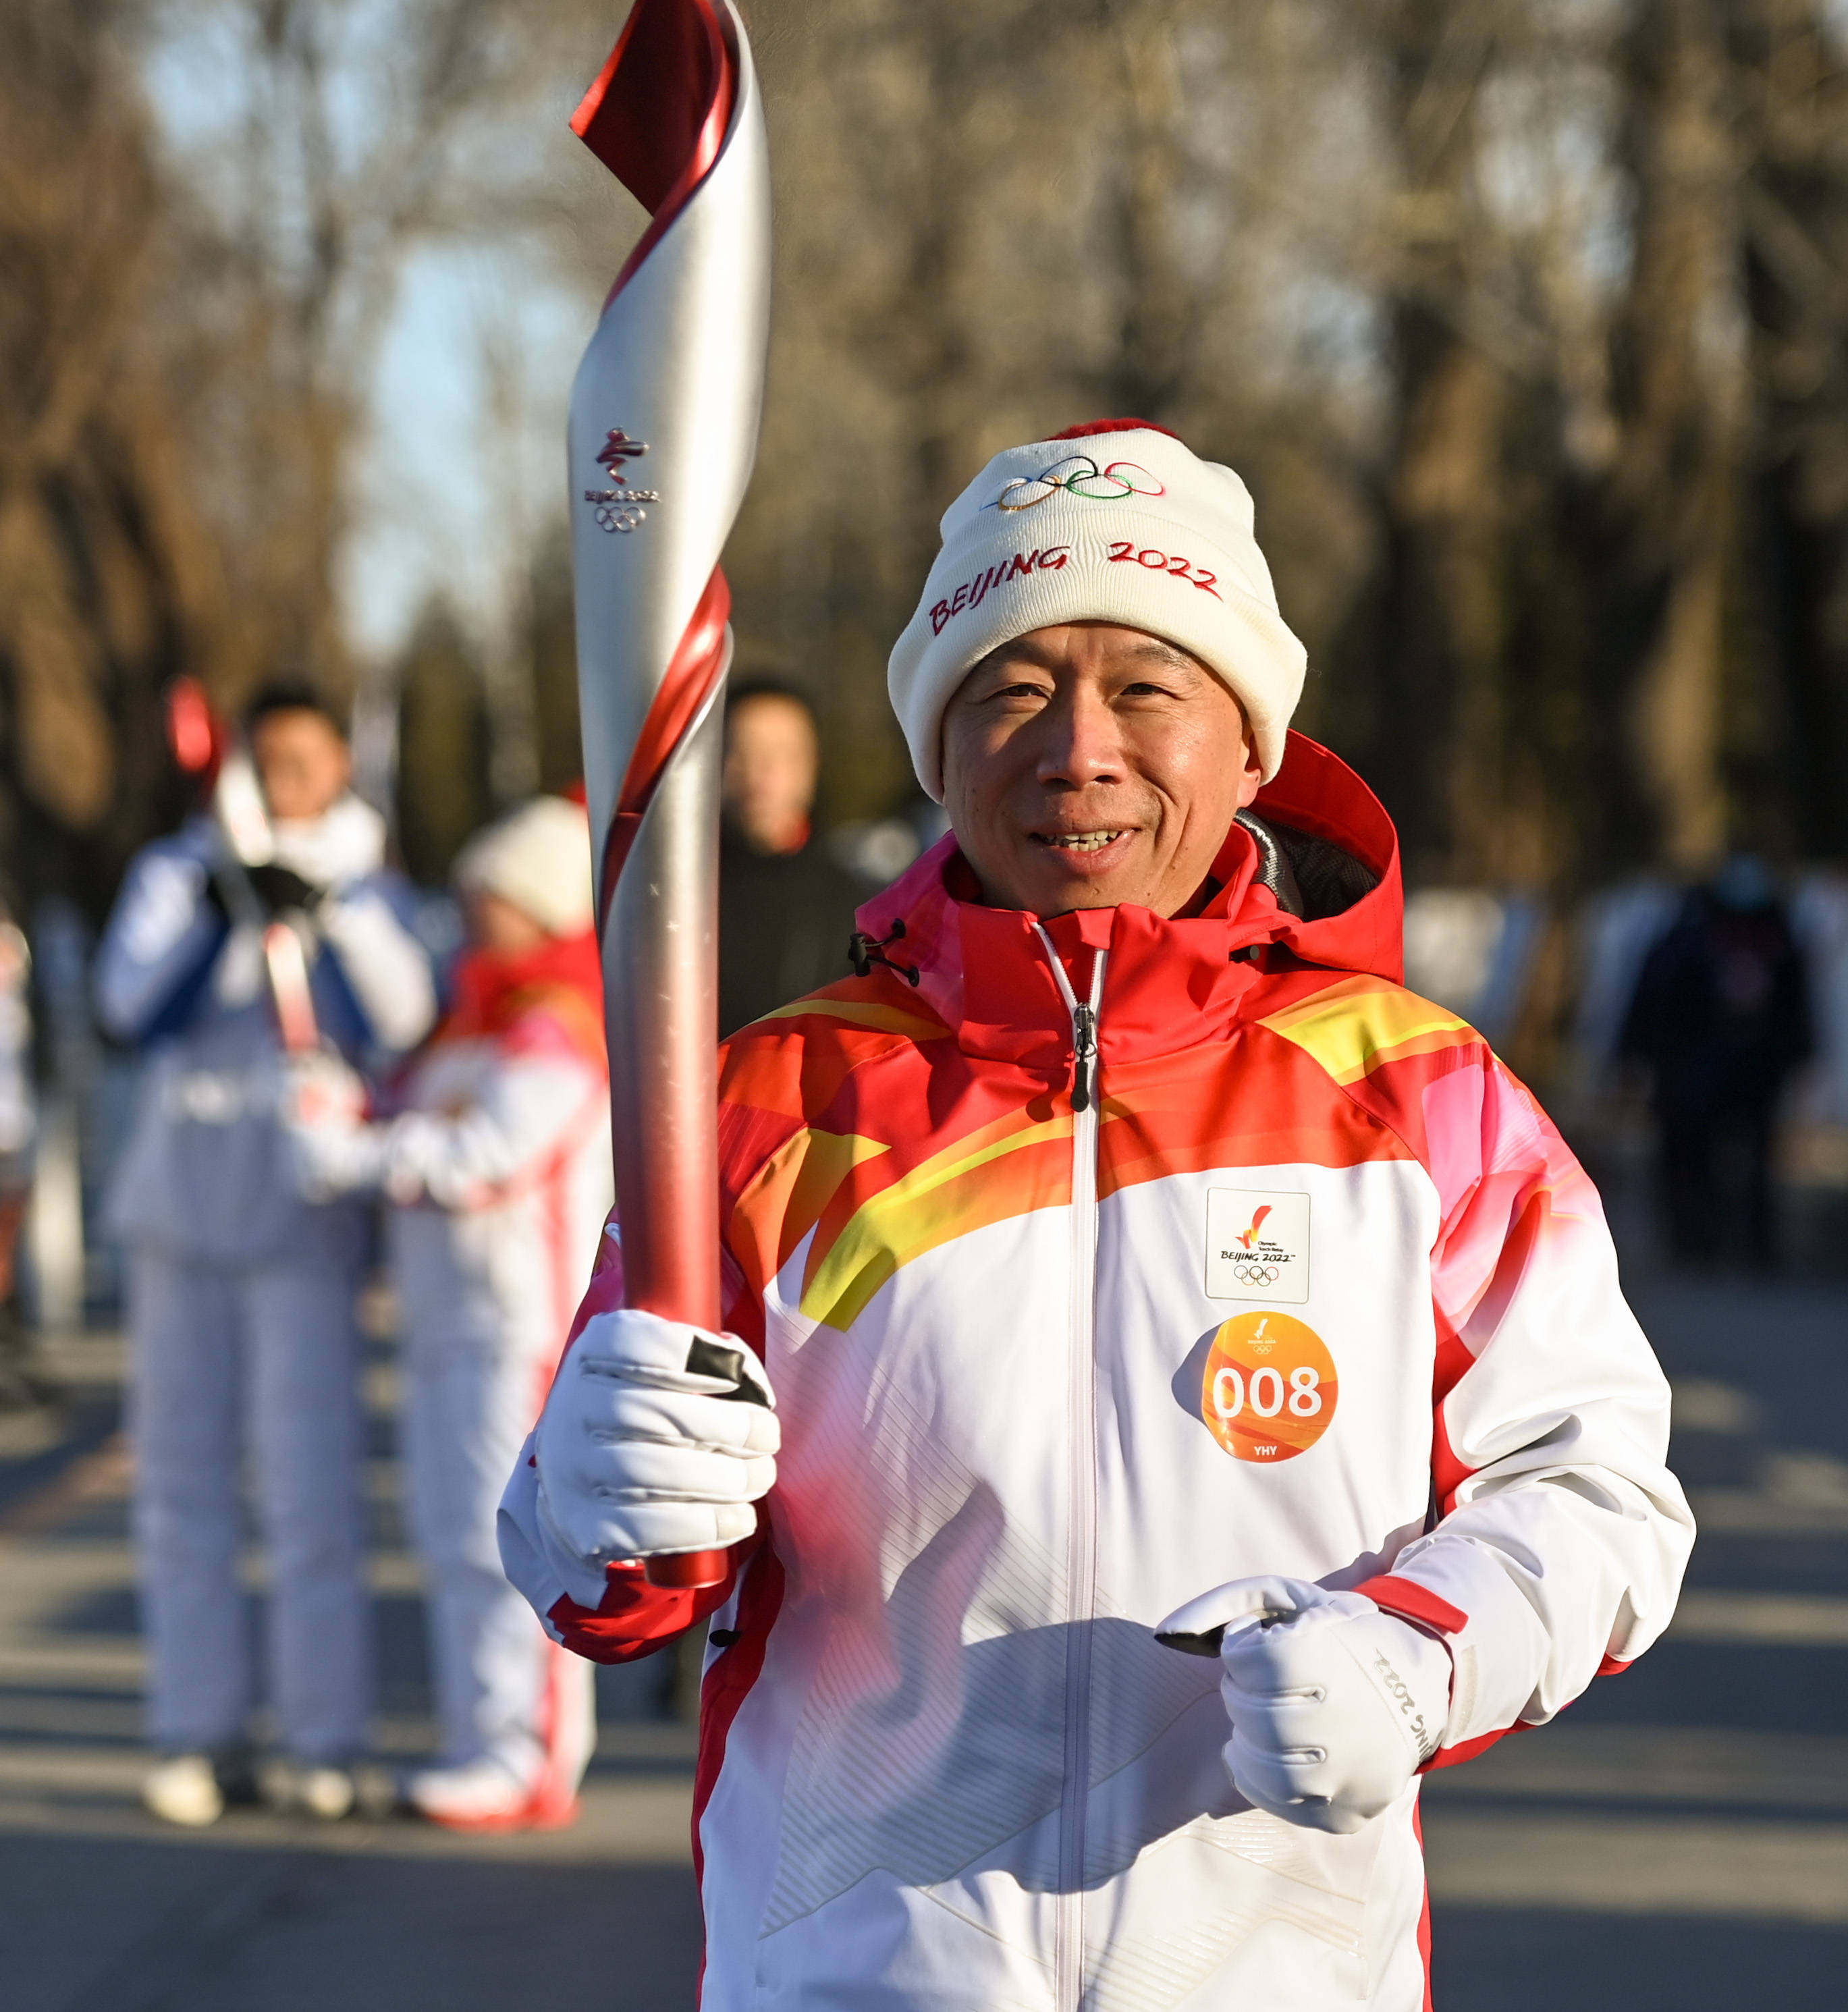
x=162, y=939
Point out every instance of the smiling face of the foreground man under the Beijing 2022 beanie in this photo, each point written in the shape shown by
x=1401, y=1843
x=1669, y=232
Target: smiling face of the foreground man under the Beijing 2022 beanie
x=1090, y=766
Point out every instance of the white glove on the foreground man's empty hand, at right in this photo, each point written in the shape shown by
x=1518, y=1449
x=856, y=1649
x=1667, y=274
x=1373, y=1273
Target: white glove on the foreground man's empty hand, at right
x=1336, y=1703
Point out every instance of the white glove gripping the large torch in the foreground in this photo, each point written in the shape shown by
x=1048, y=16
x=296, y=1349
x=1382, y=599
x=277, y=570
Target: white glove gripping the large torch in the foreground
x=657, y=1438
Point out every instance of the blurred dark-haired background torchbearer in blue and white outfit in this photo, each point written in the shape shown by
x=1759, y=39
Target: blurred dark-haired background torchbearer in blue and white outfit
x=265, y=927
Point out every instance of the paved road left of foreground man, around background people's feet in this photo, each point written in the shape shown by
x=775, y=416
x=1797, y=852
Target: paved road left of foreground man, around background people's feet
x=104, y=1910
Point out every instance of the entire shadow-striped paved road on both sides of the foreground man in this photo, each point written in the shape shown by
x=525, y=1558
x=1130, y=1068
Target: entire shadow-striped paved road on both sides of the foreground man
x=1680, y=1840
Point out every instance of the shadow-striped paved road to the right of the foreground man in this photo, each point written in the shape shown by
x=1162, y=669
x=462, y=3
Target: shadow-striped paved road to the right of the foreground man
x=1680, y=1838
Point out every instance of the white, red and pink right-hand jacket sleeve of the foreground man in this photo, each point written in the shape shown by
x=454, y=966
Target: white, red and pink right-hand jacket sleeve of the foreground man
x=1561, y=1534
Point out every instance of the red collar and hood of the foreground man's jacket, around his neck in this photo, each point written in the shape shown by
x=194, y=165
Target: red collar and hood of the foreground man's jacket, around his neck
x=1312, y=872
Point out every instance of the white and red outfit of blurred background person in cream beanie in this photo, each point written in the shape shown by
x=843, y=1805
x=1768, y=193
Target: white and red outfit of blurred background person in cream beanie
x=500, y=1170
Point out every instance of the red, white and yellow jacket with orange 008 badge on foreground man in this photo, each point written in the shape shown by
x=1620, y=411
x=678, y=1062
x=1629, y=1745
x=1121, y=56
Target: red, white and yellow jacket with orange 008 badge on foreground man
x=1303, y=1285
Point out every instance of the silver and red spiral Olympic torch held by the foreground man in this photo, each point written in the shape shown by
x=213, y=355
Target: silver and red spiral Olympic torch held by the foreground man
x=663, y=434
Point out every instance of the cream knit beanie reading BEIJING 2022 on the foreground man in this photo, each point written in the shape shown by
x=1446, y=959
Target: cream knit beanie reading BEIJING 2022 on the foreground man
x=1116, y=522
